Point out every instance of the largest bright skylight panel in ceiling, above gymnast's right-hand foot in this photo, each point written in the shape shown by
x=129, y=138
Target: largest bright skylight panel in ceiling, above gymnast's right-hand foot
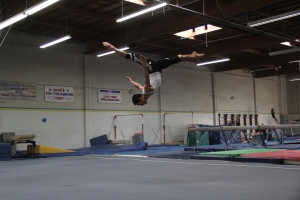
x=197, y=31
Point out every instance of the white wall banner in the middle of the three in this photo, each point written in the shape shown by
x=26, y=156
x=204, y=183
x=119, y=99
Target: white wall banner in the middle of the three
x=59, y=94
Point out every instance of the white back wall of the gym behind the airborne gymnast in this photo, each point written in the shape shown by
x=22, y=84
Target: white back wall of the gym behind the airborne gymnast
x=188, y=94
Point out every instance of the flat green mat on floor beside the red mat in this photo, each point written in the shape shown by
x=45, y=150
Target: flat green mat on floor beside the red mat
x=237, y=153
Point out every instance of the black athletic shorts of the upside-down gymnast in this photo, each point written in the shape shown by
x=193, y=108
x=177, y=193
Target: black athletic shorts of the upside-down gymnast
x=154, y=65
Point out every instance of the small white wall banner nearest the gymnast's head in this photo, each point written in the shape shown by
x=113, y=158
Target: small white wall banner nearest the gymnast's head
x=109, y=96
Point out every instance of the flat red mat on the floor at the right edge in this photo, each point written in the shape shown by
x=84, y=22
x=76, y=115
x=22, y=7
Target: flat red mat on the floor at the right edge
x=284, y=154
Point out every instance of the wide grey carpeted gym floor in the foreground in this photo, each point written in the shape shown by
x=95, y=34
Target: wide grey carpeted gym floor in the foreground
x=91, y=177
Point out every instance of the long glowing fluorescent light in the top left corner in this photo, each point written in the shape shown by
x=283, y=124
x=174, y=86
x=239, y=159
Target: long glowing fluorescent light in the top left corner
x=27, y=12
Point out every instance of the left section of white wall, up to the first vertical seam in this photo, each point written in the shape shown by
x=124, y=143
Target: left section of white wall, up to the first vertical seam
x=65, y=121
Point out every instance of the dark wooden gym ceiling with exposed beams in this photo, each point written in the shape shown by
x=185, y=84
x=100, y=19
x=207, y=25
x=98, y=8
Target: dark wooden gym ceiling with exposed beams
x=94, y=21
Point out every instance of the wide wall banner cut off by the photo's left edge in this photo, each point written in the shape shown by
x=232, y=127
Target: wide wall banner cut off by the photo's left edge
x=15, y=90
